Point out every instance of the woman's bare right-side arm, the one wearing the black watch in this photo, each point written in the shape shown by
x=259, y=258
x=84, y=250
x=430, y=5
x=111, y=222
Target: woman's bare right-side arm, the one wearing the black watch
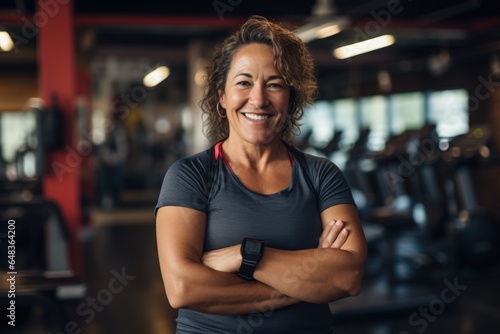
x=319, y=275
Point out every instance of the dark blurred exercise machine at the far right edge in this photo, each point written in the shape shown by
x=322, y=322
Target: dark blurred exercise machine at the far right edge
x=475, y=230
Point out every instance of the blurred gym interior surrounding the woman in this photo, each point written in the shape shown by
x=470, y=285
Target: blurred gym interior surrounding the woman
x=414, y=125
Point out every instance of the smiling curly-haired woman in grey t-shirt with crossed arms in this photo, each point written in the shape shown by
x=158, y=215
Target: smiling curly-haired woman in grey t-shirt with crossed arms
x=253, y=235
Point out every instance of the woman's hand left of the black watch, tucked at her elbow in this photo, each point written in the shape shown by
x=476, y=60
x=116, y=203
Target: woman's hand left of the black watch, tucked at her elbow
x=226, y=259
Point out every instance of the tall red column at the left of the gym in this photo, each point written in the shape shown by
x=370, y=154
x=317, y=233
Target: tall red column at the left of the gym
x=54, y=20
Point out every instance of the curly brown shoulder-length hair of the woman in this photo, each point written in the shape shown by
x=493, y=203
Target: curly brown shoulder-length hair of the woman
x=291, y=59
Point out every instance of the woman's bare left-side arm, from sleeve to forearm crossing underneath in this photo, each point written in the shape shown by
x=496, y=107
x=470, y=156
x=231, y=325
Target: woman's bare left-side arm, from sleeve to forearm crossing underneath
x=191, y=284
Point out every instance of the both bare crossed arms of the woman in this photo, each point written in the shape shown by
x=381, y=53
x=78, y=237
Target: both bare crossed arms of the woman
x=206, y=282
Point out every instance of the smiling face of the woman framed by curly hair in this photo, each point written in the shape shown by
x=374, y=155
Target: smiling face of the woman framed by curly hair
x=256, y=97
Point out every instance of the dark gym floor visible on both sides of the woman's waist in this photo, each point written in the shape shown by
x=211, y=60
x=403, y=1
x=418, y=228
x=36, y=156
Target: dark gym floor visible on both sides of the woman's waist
x=125, y=292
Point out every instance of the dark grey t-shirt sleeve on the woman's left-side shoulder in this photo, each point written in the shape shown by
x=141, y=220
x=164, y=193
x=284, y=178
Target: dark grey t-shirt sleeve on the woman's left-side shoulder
x=186, y=183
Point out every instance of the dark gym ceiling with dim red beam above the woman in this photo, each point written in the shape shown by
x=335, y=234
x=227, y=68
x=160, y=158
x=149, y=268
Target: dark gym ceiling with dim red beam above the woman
x=469, y=30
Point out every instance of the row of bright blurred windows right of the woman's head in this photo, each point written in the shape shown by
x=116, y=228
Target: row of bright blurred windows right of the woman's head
x=383, y=116
